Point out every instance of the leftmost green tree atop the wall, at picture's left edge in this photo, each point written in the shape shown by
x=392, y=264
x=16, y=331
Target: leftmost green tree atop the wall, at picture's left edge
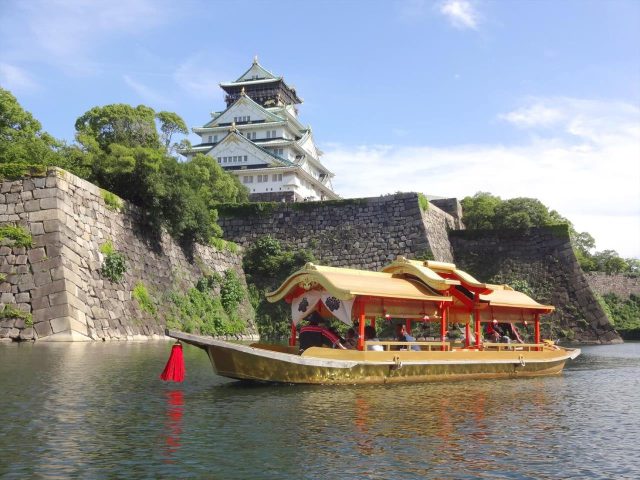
x=21, y=137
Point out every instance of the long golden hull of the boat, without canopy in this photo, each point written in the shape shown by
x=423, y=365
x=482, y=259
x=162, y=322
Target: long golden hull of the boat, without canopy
x=328, y=366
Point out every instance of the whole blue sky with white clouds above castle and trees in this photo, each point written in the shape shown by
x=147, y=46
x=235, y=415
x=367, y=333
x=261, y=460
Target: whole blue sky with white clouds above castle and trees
x=448, y=97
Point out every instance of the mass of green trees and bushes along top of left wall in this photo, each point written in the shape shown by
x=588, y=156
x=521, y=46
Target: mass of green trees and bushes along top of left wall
x=128, y=151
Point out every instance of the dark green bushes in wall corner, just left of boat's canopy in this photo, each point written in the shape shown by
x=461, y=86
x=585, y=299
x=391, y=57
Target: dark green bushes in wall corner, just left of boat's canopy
x=267, y=263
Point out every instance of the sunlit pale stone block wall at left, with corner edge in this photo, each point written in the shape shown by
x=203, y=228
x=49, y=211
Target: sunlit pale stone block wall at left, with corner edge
x=58, y=280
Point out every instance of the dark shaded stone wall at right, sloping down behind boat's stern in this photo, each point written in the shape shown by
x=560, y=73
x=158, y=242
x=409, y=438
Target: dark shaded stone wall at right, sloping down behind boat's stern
x=543, y=257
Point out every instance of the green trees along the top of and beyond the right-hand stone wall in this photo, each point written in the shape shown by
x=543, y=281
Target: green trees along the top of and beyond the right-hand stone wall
x=486, y=211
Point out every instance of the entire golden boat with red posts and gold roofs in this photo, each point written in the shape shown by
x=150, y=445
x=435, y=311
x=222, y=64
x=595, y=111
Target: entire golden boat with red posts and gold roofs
x=408, y=290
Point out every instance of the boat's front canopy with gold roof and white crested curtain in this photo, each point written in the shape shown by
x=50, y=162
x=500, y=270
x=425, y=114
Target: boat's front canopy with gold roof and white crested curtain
x=379, y=293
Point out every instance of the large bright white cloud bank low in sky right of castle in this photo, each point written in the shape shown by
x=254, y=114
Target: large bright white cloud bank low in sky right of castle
x=587, y=168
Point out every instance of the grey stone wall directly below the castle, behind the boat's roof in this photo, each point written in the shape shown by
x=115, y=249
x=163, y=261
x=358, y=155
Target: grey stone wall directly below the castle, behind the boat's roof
x=365, y=233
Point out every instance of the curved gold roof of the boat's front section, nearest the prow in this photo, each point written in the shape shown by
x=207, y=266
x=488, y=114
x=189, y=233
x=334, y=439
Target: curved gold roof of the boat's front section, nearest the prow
x=347, y=283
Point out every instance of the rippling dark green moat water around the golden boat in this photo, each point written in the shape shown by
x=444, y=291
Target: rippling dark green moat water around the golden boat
x=100, y=411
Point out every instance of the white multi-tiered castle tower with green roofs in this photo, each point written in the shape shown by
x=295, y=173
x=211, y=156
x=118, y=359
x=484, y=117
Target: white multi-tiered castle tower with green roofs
x=259, y=139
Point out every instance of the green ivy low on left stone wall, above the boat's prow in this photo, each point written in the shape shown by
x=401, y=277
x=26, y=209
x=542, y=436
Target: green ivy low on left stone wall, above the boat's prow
x=202, y=310
